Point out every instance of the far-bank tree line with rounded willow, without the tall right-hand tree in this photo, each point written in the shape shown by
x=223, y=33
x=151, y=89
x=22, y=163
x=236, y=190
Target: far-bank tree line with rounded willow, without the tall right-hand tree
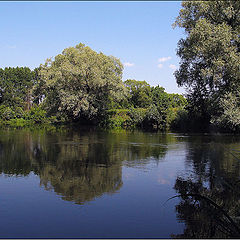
x=82, y=86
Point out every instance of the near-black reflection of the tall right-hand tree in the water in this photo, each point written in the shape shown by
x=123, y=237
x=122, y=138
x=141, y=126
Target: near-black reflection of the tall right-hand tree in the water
x=210, y=196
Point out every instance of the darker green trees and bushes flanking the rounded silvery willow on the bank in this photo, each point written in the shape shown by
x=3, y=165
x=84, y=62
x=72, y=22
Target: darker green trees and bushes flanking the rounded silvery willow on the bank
x=141, y=106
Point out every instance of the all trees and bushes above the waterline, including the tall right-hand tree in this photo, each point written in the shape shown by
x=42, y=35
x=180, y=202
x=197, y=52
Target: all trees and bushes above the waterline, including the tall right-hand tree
x=82, y=86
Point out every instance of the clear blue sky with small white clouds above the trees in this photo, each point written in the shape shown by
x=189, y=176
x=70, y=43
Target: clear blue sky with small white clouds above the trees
x=140, y=34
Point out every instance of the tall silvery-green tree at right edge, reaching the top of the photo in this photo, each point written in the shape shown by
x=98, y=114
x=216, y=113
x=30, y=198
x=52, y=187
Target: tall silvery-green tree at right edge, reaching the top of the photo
x=210, y=59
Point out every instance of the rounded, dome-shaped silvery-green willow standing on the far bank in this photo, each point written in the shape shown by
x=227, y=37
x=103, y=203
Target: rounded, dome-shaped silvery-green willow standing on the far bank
x=79, y=83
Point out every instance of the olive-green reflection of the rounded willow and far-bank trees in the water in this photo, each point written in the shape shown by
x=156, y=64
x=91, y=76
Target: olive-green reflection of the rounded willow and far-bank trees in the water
x=78, y=165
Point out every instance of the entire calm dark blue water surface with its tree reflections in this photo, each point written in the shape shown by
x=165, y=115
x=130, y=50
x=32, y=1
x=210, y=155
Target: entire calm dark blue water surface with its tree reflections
x=95, y=184
